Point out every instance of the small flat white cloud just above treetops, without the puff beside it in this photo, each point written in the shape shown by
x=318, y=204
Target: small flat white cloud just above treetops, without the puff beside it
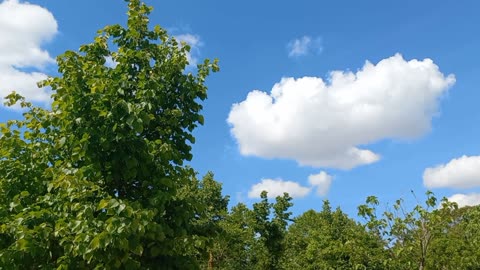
x=276, y=187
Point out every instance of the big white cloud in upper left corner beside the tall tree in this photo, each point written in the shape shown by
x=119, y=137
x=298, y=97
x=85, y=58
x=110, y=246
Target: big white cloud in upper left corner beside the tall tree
x=24, y=28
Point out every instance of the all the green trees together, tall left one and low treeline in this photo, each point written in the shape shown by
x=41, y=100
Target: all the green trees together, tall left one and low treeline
x=100, y=181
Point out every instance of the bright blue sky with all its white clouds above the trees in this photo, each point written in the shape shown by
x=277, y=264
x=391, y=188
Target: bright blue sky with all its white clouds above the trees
x=325, y=100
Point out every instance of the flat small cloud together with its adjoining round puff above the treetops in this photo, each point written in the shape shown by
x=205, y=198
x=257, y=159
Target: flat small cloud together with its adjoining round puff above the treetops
x=276, y=187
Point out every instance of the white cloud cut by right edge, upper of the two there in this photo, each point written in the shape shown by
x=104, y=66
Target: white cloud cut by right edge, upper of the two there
x=463, y=172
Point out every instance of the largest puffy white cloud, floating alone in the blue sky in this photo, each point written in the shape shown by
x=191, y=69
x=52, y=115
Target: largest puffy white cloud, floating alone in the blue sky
x=324, y=124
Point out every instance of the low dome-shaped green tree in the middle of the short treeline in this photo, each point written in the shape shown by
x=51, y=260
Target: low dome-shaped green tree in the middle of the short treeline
x=331, y=240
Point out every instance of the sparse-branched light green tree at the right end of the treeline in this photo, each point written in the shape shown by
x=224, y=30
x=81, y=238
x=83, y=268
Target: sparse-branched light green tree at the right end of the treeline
x=429, y=236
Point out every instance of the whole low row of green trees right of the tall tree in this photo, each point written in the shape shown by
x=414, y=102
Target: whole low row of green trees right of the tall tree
x=429, y=236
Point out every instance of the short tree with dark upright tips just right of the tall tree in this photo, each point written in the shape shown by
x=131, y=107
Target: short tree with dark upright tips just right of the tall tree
x=254, y=238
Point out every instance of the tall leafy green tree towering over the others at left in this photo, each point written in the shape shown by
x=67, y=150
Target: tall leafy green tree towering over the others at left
x=93, y=182
